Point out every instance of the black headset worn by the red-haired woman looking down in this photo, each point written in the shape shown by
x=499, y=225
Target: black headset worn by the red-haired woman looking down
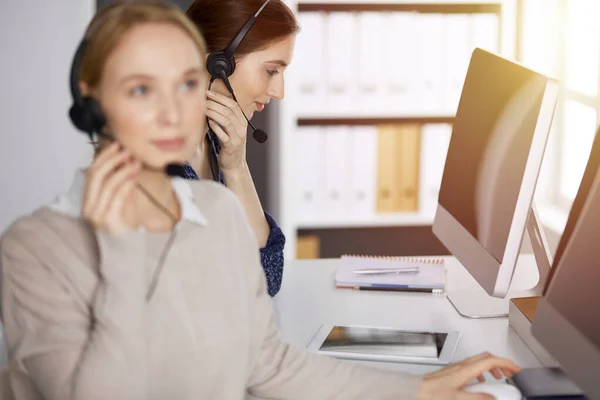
x=221, y=65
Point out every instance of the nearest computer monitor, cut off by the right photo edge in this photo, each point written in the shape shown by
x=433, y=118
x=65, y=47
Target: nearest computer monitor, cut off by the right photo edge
x=567, y=322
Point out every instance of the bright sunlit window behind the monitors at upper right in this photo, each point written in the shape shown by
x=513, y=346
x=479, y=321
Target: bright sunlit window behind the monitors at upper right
x=561, y=38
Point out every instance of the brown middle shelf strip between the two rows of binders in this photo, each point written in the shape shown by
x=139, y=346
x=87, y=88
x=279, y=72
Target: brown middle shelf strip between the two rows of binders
x=348, y=120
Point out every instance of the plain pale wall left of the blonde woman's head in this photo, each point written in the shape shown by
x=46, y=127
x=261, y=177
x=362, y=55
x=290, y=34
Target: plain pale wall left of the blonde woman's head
x=39, y=148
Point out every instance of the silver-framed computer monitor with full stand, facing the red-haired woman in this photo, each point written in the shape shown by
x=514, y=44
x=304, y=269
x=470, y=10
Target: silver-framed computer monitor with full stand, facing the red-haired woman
x=499, y=136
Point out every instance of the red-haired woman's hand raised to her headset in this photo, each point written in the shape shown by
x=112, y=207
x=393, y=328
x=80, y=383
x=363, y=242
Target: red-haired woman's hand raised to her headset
x=228, y=123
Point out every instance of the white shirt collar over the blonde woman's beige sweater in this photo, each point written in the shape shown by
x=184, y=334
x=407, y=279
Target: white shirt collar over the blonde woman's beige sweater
x=71, y=202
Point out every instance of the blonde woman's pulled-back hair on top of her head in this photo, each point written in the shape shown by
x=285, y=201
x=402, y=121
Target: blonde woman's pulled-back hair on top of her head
x=110, y=24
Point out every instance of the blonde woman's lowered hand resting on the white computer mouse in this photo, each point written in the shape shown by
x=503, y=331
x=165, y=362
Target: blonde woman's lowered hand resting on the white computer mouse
x=448, y=382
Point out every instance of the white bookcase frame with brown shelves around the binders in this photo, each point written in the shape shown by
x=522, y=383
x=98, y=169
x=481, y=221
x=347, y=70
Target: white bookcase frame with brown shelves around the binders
x=290, y=118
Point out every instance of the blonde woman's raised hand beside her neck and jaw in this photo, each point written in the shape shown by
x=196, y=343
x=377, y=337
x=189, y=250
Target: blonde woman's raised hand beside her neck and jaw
x=108, y=202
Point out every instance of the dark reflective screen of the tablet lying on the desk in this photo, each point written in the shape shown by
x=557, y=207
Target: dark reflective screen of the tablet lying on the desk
x=349, y=339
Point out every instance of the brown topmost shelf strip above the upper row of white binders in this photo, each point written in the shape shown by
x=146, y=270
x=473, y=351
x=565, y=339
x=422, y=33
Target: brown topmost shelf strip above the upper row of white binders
x=423, y=7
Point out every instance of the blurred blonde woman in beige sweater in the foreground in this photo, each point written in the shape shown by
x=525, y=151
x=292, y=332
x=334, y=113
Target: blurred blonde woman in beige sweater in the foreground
x=103, y=295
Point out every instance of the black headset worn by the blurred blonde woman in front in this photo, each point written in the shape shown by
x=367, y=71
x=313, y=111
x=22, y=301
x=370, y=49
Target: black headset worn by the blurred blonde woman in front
x=86, y=113
